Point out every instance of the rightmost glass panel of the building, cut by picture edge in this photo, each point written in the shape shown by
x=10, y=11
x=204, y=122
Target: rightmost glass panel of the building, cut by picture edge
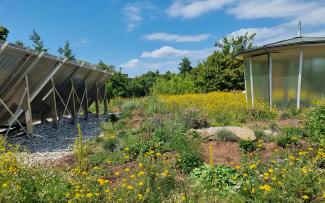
x=313, y=75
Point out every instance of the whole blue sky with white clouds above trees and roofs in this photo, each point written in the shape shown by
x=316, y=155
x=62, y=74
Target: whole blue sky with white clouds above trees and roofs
x=148, y=35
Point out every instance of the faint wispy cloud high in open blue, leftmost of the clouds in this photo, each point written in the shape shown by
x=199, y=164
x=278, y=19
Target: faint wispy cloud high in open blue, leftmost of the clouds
x=133, y=13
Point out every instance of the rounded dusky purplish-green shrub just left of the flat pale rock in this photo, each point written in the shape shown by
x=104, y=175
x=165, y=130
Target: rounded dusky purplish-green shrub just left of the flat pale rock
x=194, y=119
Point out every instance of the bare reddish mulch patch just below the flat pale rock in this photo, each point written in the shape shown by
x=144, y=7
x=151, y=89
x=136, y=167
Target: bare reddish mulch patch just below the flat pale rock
x=226, y=153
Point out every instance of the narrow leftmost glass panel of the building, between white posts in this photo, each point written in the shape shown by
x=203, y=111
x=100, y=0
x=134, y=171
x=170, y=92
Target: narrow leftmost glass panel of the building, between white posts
x=260, y=71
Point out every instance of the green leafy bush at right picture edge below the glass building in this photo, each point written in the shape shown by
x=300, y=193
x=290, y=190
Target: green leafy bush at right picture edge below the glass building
x=315, y=124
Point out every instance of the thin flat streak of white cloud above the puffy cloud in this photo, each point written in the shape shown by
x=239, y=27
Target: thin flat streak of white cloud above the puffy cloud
x=176, y=38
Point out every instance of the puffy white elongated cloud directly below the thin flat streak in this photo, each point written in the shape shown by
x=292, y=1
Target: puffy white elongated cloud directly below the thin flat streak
x=168, y=51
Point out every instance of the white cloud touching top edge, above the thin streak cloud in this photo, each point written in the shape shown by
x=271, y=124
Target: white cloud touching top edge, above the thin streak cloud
x=195, y=8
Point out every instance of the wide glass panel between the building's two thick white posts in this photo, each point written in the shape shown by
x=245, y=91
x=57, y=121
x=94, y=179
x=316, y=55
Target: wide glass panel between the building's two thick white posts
x=285, y=69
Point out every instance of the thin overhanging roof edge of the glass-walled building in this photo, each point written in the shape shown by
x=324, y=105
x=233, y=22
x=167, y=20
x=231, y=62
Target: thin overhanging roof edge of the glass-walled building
x=287, y=42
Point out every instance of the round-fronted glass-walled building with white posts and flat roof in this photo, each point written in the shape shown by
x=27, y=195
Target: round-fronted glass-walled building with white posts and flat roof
x=286, y=73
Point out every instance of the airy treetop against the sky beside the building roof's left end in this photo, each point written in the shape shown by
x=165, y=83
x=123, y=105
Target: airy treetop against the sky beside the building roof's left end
x=236, y=44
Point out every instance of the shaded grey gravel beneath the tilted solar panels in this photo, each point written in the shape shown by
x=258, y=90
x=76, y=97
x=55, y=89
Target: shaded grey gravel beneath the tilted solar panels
x=47, y=139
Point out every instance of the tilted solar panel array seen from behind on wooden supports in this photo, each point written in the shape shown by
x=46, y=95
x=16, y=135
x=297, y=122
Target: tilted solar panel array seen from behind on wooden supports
x=36, y=86
